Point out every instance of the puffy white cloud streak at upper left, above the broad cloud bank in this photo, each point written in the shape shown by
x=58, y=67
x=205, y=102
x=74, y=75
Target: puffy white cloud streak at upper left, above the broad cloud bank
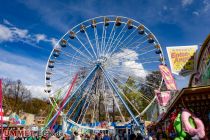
x=10, y=33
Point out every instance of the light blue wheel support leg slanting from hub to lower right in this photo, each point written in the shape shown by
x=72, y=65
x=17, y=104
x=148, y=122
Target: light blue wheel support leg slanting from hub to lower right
x=122, y=100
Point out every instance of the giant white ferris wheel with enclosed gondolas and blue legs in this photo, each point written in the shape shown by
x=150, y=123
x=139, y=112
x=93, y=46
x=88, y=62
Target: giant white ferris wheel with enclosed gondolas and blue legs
x=88, y=71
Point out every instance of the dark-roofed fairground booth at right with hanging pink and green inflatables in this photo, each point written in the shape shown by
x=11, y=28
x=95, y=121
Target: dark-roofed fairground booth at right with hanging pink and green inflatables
x=194, y=99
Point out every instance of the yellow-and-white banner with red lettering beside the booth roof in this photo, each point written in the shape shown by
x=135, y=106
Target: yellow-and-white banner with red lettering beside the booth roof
x=182, y=59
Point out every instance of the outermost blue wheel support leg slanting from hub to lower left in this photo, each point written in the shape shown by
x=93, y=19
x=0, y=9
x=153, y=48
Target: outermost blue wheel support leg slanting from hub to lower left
x=70, y=97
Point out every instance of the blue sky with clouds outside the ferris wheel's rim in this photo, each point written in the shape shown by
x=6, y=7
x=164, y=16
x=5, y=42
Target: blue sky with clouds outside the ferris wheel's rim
x=29, y=28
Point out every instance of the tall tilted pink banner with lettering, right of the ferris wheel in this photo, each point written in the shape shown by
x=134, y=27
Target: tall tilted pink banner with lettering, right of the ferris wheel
x=168, y=78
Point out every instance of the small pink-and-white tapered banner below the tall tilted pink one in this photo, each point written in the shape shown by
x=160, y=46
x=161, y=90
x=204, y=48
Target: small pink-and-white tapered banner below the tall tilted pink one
x=163, y=97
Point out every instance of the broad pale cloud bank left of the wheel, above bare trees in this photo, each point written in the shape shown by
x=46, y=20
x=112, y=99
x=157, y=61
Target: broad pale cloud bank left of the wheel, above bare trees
x=29, y=71
